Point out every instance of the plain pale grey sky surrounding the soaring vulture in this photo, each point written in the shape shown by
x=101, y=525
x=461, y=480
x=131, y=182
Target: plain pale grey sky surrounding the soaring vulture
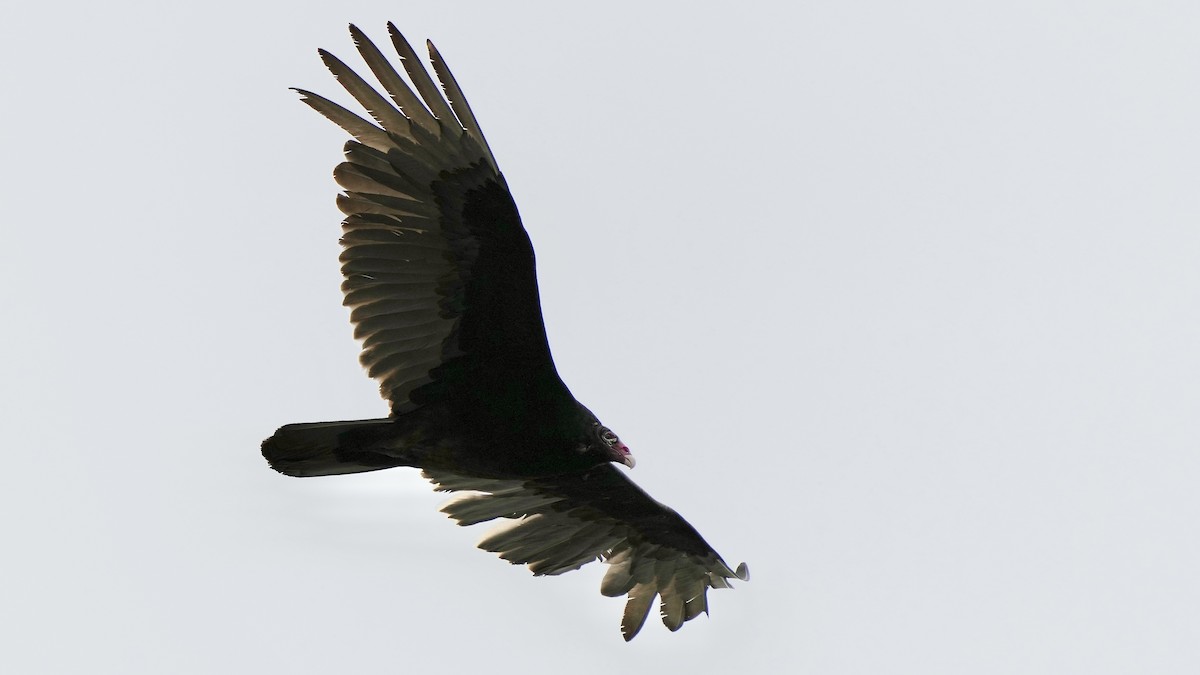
x=896, y=302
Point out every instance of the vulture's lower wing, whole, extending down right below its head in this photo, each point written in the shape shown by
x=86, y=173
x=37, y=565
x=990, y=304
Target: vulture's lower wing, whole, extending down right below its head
x=566, y=522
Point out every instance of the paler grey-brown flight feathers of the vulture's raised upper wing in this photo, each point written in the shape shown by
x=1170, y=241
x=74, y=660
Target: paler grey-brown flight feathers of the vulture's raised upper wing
x=403, y=266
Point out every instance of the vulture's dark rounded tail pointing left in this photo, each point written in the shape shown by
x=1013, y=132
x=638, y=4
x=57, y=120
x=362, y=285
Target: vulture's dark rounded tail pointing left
x=328, y=449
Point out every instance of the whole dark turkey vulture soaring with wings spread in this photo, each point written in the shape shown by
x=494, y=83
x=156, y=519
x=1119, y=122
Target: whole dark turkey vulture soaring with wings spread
x=440, y=277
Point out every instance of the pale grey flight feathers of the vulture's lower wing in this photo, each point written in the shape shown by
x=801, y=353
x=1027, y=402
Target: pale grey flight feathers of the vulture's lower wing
x=554, y=534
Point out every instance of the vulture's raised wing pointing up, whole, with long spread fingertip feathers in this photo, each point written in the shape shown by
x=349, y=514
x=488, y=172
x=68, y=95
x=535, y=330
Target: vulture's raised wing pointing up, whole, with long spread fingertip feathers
x=439, y=270
